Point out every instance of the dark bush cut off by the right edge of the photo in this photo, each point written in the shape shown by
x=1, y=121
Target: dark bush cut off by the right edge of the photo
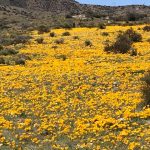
x=146, y=89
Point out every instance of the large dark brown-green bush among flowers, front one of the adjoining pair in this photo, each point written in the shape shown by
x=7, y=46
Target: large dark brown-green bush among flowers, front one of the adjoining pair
x=122, y=45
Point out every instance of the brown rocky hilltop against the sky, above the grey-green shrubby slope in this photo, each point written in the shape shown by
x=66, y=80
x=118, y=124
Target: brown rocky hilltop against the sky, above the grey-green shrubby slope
x=47, y=5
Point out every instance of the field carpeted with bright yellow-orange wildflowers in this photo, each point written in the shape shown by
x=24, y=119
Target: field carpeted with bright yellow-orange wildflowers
x=73, y=95
